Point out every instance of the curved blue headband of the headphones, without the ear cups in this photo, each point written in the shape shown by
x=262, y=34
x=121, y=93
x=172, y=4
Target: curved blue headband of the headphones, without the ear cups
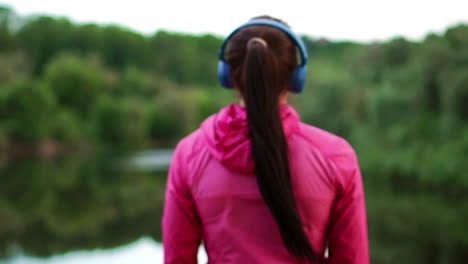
x=273, y=23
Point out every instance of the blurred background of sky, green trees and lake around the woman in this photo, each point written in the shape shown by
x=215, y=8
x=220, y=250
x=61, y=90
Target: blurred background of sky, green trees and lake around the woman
x=94, y=97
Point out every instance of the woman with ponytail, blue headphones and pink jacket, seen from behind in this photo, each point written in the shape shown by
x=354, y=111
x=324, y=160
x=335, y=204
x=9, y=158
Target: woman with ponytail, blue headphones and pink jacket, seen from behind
x=256, y=184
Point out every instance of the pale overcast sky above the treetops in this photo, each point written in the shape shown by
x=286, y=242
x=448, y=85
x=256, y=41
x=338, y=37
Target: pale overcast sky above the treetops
x=361, y=20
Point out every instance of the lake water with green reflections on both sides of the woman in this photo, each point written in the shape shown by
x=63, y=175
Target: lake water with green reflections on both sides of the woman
x=73, y=204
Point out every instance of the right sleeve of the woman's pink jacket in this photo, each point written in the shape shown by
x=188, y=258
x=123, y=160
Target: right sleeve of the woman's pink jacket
x=348, y=240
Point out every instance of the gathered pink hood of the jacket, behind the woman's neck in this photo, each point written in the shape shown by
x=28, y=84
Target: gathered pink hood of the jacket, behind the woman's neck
x=227, y=136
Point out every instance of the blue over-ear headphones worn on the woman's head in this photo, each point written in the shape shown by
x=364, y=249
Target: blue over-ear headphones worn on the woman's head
x=299, y=74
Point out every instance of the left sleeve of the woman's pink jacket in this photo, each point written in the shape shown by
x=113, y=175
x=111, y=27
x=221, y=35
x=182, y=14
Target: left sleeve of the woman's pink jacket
x=180, y=224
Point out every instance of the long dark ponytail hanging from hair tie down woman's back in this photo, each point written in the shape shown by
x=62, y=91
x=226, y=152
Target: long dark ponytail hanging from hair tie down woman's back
x=261, y=85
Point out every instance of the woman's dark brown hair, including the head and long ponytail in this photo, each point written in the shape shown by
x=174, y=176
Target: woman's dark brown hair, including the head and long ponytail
x=261, y=73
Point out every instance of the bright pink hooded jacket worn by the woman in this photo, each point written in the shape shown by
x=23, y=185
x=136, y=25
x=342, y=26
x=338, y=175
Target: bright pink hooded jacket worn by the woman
x=212, y=194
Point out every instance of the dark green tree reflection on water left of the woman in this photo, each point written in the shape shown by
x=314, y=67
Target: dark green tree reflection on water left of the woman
x=72, y=203
